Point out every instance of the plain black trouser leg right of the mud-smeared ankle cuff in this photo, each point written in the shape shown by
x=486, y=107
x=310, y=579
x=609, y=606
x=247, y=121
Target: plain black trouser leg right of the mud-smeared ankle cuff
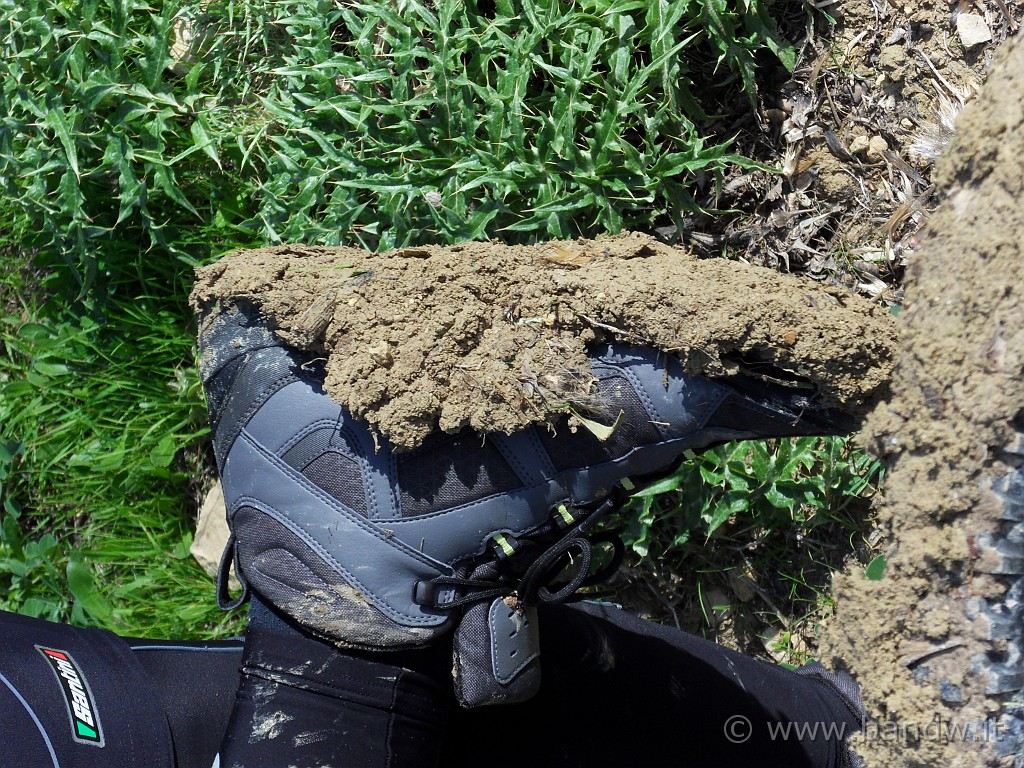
x=621, y=692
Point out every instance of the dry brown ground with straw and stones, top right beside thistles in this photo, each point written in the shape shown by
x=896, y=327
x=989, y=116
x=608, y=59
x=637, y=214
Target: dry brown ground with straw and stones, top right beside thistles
x=857, y=129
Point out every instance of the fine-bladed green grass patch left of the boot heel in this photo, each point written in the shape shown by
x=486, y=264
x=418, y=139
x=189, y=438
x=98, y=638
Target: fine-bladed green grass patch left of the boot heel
x=103, y=432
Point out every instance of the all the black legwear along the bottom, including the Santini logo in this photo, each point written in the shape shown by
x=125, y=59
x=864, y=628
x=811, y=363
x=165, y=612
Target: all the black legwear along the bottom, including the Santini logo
x=617, y=692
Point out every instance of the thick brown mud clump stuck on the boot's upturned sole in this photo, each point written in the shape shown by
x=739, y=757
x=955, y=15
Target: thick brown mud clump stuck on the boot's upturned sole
x=495, y=337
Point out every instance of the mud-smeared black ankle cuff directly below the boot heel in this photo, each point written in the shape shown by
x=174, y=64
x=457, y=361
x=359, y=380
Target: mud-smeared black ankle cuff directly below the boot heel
x=305, y=704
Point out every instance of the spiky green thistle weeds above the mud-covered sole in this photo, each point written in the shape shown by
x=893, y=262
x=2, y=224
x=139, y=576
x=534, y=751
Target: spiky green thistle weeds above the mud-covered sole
x=382, y=124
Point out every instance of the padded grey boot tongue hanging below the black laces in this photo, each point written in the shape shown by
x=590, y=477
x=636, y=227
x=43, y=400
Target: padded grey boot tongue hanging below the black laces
x=496, y=654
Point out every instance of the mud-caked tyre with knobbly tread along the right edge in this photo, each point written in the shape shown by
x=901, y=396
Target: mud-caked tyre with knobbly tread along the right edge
x=918, y=639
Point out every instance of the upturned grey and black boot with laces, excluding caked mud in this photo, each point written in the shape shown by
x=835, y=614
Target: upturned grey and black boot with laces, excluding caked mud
x=372, y=548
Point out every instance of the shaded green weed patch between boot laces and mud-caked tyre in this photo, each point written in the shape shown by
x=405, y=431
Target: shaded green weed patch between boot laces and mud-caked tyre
x=779, y=516
